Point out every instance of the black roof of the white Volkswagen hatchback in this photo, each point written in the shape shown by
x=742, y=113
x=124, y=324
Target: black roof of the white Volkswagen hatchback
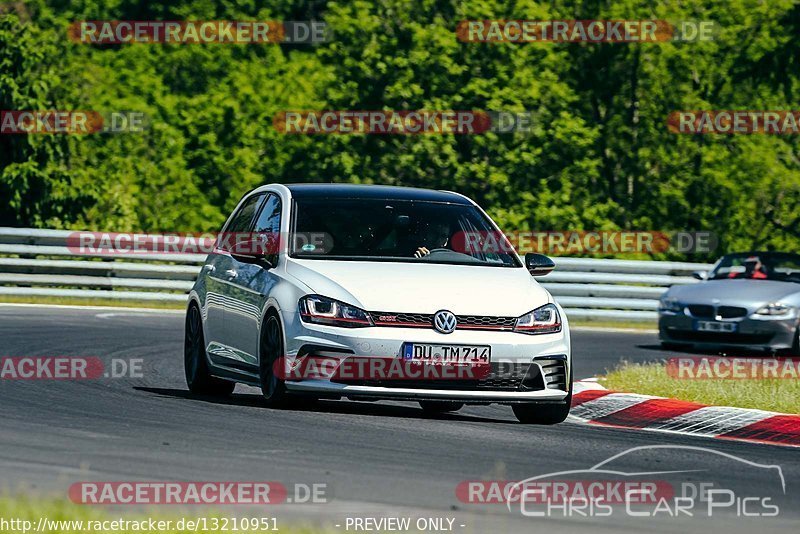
x=383, y=192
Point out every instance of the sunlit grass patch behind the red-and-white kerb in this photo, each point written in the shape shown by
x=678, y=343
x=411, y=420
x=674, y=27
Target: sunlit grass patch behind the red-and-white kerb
x=777, y=395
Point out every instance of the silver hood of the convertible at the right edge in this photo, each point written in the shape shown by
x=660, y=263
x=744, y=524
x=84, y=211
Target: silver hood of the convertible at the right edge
x=743, y=292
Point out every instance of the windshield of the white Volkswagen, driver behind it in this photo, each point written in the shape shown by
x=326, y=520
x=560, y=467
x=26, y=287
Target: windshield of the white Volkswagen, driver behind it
x=394, y=230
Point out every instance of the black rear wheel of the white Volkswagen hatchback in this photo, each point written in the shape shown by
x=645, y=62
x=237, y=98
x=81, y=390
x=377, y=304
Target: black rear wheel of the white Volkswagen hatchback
x=195, y=365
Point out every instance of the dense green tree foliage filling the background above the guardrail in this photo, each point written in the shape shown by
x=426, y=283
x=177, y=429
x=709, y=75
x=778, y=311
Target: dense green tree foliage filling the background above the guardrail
x=599, y=155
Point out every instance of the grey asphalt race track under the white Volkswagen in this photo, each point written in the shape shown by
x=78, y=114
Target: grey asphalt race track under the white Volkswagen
x=377, y=459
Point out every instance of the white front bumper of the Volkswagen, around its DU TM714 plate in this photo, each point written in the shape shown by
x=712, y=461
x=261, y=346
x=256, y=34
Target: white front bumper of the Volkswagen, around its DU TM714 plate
x=532, y=353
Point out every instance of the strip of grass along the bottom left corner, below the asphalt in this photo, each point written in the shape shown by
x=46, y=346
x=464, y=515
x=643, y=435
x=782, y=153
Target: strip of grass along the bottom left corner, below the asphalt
x=33, y=509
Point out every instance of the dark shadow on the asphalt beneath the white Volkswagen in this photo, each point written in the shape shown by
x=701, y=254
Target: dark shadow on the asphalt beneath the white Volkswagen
x=324, y=406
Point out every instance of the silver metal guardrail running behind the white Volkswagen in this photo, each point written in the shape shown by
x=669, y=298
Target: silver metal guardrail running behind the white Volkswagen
x=38, y=263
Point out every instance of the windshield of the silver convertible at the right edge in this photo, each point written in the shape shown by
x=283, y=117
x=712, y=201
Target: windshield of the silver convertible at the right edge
x=783, y=267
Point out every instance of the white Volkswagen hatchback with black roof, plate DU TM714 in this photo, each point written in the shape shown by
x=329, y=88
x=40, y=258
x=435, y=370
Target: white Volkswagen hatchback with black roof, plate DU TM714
x=312, y=284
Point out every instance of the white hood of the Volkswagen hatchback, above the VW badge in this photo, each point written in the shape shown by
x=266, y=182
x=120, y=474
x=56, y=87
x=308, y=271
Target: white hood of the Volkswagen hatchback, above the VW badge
x=423, y=288
